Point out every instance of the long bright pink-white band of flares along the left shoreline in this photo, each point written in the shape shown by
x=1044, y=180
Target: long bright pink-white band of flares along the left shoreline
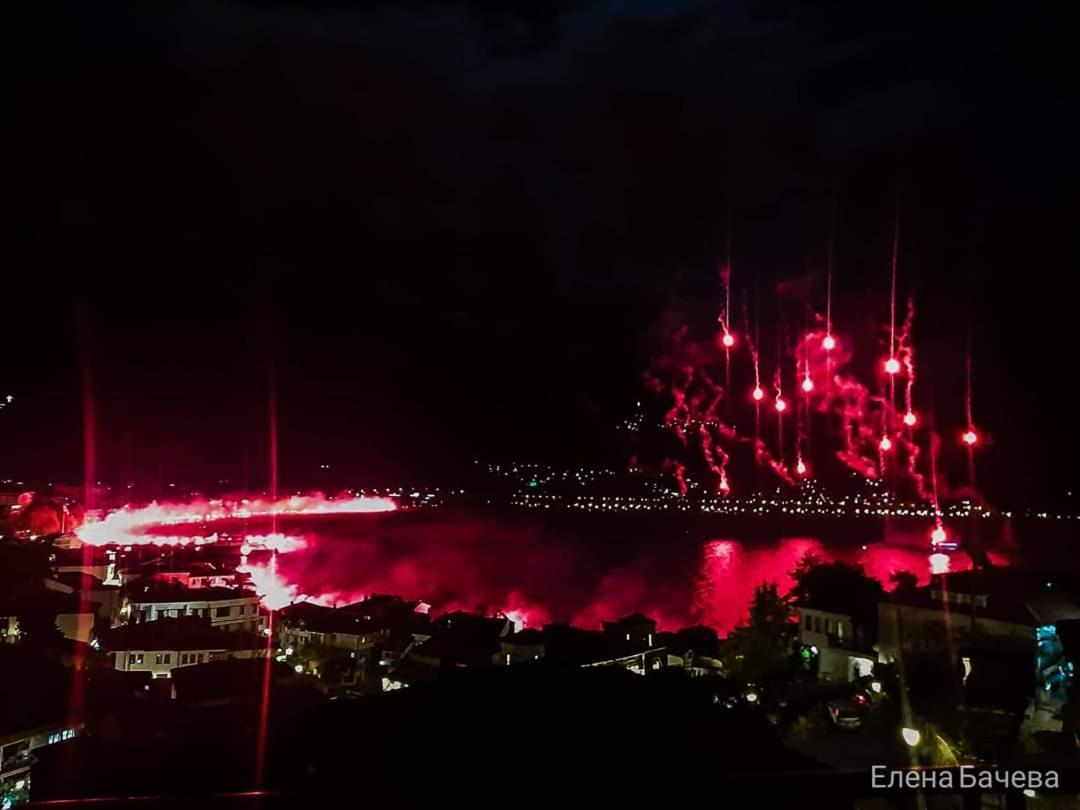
x=133, y=525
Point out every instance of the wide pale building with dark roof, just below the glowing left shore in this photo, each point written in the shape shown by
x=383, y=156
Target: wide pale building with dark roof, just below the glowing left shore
x=229, y=610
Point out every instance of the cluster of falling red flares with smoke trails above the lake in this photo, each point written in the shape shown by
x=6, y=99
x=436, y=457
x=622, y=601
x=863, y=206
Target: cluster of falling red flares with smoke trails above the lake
x=877, y=434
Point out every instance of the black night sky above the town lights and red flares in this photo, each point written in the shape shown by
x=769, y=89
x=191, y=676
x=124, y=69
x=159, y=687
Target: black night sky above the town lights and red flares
x=452, y=229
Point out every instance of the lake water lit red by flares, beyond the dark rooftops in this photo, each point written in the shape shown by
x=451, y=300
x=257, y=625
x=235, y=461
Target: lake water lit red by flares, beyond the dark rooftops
x=532, y=573
